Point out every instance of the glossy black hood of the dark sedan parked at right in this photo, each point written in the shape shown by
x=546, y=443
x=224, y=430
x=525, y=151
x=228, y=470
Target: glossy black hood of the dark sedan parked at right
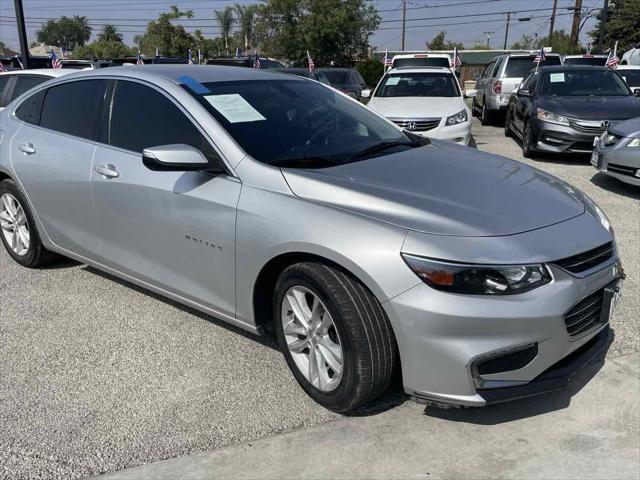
x=593, y=108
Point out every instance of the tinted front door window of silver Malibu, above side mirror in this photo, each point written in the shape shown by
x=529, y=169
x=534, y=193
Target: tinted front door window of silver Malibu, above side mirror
x=142, y=117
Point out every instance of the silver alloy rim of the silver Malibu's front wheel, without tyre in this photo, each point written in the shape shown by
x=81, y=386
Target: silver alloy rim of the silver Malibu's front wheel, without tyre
x=312, y=338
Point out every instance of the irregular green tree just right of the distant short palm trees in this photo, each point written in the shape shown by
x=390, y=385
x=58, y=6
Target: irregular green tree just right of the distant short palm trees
x=172, y=40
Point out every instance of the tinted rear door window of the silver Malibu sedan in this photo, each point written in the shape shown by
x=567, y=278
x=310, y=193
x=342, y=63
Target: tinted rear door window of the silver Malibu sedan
x=74, y=108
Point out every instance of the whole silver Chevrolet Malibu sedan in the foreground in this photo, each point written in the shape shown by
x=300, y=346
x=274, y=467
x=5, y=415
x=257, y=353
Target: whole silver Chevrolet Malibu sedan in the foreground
x=284, y=207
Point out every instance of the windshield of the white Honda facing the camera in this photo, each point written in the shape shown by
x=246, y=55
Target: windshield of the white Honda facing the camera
x=419, y=84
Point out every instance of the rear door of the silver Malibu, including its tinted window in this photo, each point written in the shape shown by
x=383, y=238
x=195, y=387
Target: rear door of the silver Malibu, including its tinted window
x=52, y=156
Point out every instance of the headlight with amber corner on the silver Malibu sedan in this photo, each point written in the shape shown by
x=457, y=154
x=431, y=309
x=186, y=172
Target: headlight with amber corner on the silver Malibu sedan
x=478, y=279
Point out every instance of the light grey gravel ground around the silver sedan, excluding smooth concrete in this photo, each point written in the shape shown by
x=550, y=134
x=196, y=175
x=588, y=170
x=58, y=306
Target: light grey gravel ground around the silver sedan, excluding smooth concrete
x=97, y=375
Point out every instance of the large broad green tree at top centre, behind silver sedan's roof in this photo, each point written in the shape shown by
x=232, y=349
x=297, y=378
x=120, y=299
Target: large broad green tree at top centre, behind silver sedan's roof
x=332, y=30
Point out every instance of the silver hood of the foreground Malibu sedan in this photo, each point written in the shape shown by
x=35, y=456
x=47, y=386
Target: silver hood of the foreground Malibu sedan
x=443, y=189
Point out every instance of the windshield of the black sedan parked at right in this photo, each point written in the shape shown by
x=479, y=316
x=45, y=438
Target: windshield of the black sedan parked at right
x=583, y=83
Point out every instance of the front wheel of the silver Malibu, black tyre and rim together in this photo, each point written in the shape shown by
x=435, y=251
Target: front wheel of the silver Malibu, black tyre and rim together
x=335, y=336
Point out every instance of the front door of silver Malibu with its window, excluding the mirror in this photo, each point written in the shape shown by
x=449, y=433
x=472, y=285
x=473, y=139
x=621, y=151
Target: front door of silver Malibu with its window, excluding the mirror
x=174, y=230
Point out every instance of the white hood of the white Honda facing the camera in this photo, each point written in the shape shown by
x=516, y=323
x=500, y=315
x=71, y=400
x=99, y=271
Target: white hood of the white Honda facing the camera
x=416, y=107
